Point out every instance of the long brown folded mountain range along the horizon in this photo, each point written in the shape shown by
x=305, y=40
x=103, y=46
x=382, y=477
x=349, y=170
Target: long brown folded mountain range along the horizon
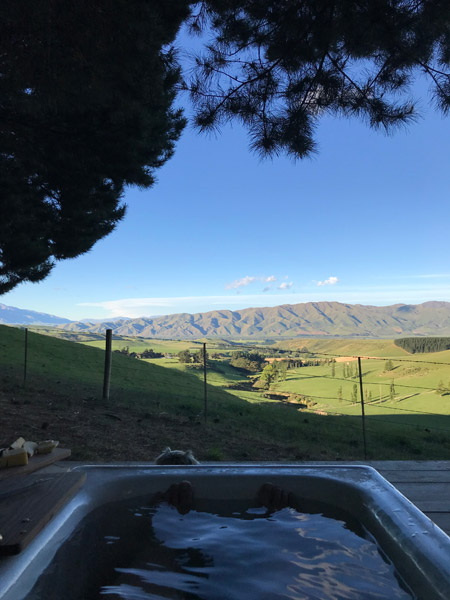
x=313, y=319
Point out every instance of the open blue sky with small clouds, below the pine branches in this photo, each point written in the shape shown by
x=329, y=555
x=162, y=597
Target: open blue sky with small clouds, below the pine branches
x=364, y=221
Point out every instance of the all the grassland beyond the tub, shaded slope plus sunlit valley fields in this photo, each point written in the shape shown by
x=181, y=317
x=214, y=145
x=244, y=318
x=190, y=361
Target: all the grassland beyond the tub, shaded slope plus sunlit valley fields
x=159, y=402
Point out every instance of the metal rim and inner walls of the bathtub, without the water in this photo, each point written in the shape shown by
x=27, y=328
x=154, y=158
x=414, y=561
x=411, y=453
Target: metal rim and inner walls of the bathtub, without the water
x=419, y=550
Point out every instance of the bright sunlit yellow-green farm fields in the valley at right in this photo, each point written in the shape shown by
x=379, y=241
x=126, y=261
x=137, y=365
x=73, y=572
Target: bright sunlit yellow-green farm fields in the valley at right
x=414, y=399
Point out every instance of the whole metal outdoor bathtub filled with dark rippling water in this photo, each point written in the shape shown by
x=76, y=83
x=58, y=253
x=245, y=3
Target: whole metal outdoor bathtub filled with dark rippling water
x=98, y=546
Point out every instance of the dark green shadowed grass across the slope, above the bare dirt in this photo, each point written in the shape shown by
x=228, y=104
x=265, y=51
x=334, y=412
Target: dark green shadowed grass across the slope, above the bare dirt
x=72, y=375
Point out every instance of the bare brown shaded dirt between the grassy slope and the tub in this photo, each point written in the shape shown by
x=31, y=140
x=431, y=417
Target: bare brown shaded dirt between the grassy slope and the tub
x=101, y=432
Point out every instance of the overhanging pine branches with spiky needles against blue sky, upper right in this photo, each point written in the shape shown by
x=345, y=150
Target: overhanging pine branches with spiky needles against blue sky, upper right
x=277, y=67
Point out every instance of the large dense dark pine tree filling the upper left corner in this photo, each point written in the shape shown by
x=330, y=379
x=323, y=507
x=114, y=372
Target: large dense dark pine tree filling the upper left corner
x=87, y=91
